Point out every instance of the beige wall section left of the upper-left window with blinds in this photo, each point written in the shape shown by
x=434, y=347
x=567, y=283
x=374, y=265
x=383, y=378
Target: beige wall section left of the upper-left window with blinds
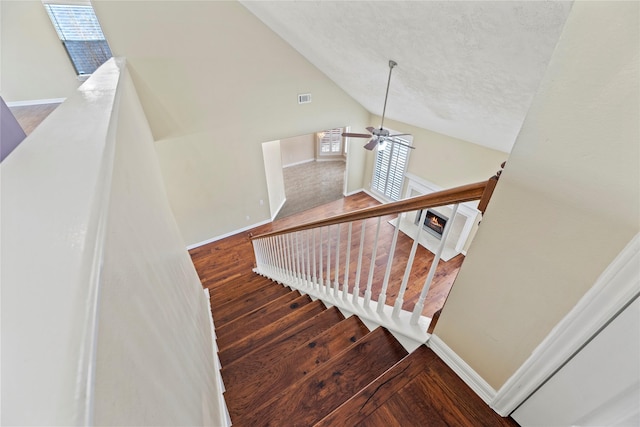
x=33, y=63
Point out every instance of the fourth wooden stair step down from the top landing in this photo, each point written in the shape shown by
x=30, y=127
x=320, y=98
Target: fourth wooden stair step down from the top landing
x=268, y=333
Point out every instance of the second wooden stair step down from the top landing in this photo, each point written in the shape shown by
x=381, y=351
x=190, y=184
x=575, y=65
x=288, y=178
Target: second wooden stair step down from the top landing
x=256, y=387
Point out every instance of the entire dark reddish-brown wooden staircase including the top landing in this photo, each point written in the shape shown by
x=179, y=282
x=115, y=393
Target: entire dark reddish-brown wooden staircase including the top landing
x=290, y=361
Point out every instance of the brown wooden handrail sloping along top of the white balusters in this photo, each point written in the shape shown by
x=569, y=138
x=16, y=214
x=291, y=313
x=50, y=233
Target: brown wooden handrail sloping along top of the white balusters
x=464, y=193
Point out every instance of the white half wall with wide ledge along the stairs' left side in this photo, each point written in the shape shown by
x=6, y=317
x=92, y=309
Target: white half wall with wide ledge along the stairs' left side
x=104, y=320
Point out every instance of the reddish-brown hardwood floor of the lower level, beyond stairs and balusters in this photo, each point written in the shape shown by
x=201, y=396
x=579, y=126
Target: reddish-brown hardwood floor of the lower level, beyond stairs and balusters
x=228, y=258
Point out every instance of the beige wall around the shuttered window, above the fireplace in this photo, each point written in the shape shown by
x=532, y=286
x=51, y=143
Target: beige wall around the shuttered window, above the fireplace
x=440, y=159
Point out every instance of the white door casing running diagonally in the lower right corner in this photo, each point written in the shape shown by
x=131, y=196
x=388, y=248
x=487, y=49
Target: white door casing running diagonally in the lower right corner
x=616, y=286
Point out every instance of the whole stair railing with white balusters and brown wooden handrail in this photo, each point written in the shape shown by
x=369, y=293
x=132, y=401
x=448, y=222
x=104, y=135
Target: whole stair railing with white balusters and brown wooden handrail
x=340, y=261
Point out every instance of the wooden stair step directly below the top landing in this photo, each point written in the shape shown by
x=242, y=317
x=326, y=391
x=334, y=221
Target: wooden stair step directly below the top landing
x=329, y=386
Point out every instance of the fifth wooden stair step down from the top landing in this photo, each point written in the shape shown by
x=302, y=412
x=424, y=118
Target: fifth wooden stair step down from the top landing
x=260, y=317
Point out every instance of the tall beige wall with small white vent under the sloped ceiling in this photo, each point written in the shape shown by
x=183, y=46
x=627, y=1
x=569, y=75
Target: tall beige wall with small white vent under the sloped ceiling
x=215, y=83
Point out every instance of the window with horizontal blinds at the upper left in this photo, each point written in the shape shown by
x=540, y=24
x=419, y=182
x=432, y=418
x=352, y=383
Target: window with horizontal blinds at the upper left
x=80, y=33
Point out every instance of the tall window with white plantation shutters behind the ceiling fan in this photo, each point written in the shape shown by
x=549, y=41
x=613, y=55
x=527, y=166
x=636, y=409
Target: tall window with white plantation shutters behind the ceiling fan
x=389, y=168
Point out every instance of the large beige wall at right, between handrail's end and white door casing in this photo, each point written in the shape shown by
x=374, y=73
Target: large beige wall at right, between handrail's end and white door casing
x=567, y=203
